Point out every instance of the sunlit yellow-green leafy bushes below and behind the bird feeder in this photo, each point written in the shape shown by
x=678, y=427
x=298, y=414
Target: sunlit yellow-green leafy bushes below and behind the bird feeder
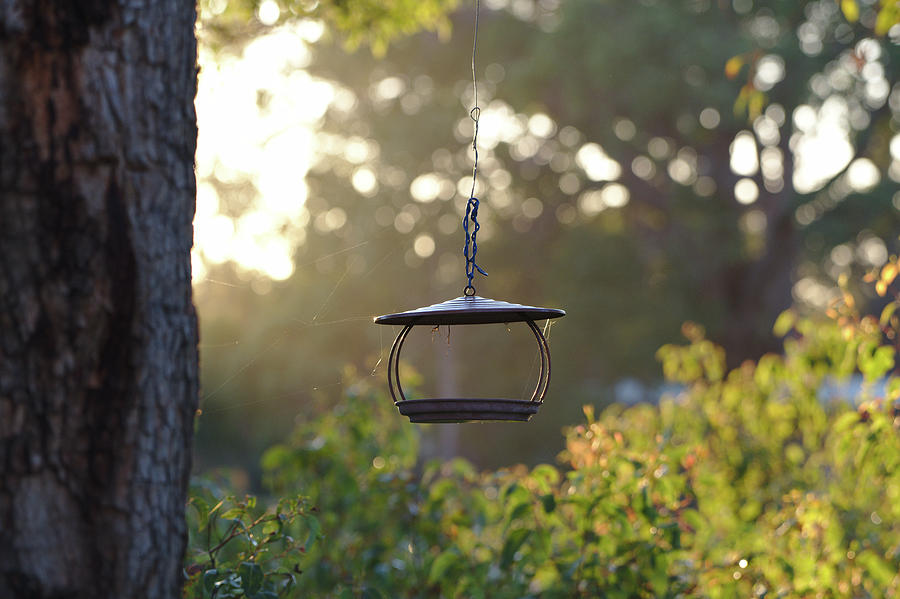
x=776, y=479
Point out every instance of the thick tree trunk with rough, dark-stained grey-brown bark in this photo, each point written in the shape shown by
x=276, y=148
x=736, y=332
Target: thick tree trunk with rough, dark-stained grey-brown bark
x=98, y=335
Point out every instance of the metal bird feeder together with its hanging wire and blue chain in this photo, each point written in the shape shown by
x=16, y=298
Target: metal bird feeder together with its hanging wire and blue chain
x=469, y=309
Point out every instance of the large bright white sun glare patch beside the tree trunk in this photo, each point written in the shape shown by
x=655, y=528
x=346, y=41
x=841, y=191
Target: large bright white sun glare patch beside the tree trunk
x=256, y=114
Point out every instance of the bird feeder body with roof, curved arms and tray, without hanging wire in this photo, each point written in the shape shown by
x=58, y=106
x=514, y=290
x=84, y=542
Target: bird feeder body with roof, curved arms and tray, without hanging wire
x=467, y=310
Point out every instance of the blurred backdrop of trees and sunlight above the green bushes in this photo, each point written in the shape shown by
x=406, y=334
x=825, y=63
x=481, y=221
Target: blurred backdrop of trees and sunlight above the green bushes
x=642, y=164
